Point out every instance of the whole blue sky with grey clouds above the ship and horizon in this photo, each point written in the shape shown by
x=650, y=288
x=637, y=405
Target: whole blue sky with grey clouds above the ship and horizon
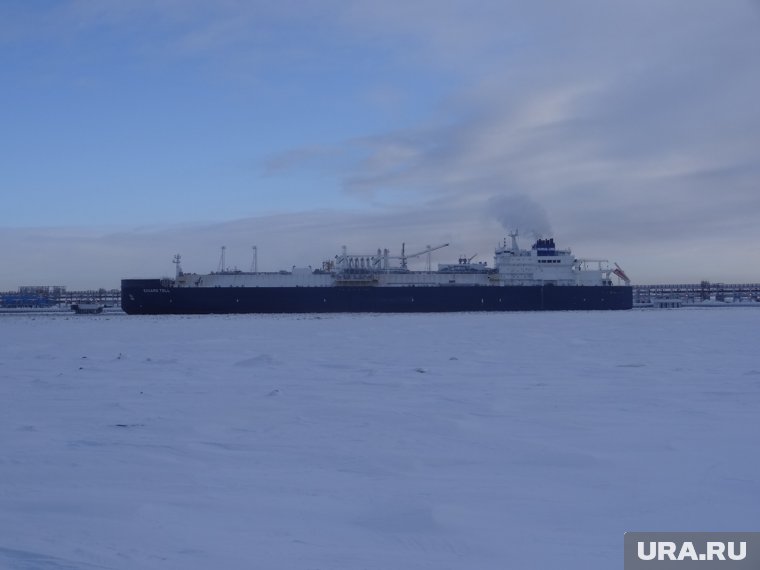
x=132, y=131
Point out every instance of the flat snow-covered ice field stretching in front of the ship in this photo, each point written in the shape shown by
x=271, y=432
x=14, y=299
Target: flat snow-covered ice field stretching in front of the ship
x=473, y=441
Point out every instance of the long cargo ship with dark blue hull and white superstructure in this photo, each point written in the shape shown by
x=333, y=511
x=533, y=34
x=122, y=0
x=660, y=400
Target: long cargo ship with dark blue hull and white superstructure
x=541, y=278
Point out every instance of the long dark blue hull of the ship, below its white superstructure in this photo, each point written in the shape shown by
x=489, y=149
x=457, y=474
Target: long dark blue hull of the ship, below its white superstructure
x=150, y=297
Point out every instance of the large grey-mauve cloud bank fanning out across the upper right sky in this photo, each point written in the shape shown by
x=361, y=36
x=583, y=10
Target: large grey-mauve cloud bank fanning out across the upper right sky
x=608, y=149
